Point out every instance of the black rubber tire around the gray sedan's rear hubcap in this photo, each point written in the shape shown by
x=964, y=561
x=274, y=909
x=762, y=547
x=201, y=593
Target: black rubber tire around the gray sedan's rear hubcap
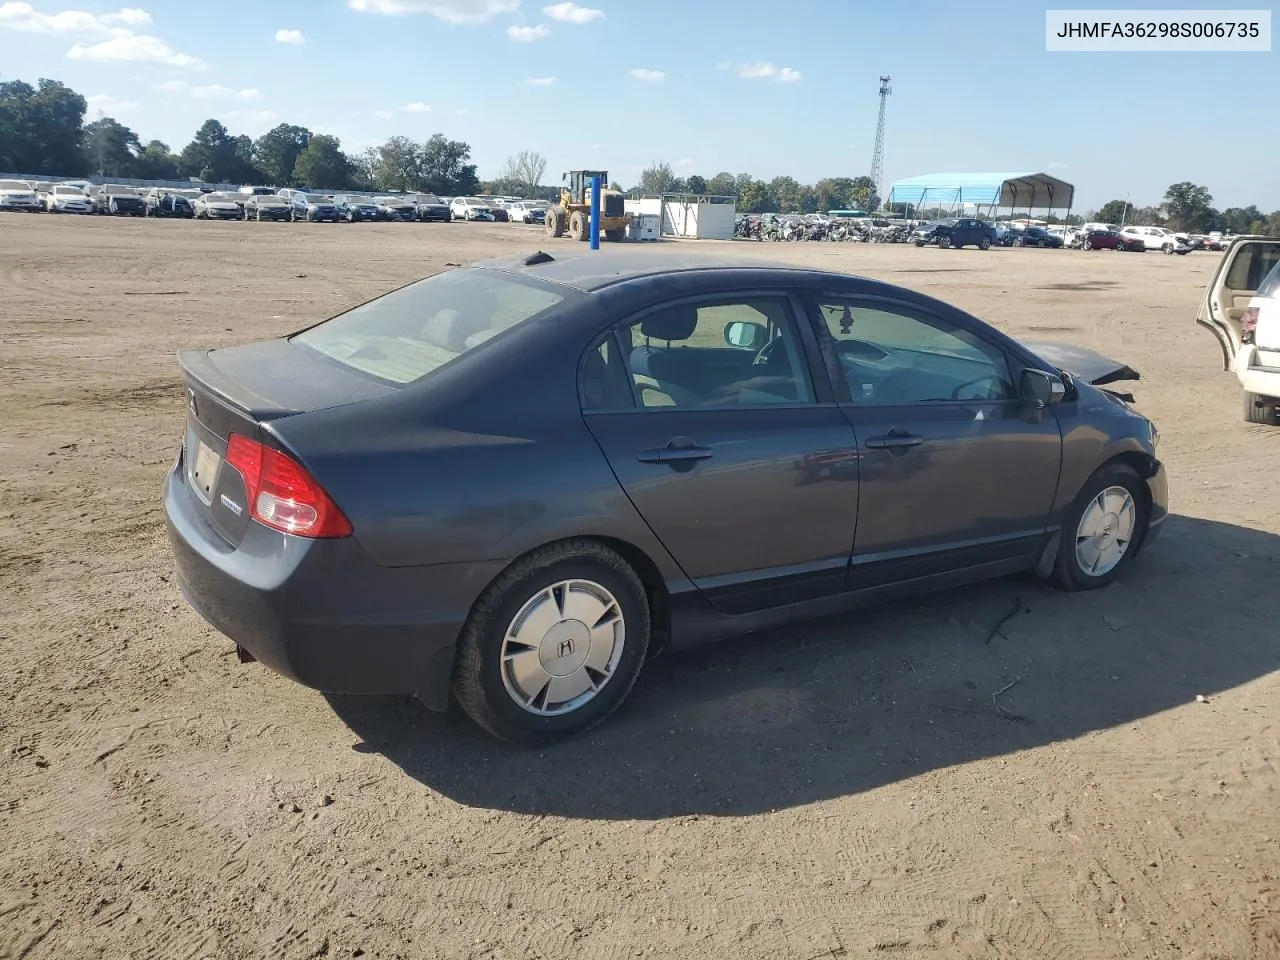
x=486, y=684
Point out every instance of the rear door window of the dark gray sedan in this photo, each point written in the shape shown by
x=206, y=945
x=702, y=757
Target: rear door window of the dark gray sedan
x=730, y=353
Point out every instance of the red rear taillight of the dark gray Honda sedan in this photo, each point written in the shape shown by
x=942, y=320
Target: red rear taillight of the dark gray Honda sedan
x=282, y=495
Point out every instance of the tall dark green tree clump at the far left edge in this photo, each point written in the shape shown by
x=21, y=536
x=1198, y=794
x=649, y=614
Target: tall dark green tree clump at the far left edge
x=42, y=129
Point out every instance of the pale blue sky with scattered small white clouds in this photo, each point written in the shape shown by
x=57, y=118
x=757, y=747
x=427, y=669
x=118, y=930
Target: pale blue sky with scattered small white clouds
x=748, y=86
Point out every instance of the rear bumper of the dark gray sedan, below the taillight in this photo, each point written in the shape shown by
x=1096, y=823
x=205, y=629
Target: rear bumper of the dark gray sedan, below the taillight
x=321, y=612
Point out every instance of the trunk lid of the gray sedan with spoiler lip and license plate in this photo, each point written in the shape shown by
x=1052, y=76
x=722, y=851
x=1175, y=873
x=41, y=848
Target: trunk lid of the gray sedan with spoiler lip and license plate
x=244, y=390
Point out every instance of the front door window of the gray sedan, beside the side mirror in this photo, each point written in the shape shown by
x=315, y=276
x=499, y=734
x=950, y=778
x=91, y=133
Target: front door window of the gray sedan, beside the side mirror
x=893, y=355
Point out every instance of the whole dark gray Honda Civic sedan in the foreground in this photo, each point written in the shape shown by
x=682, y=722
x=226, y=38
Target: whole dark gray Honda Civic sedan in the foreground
x=516, y=482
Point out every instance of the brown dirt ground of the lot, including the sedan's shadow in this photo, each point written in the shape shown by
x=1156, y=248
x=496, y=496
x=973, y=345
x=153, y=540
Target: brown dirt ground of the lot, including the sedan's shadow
x=897, y=784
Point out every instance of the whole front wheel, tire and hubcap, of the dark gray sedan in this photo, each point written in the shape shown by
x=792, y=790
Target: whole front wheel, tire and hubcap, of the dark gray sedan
x=1101, y=531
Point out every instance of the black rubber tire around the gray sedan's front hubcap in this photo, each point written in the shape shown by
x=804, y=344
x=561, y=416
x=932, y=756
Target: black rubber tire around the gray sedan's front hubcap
x=1071, y=572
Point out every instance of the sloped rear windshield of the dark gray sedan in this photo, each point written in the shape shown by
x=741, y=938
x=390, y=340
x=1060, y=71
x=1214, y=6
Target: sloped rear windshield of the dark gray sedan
x=406, y=335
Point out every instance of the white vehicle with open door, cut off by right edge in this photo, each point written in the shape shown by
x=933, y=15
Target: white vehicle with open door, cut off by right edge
x=1242, y=309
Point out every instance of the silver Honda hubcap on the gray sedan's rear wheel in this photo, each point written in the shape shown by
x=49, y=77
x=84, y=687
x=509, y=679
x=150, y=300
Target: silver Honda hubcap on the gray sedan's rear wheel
x=563, y=648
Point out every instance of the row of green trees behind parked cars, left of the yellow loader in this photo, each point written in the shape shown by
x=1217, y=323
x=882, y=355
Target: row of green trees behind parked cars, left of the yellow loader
x=43, y=131
